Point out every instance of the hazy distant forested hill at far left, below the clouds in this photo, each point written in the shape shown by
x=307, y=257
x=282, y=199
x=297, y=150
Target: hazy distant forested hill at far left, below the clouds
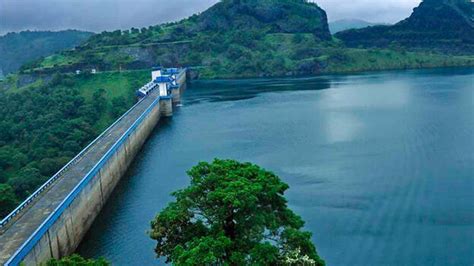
x=19, y=48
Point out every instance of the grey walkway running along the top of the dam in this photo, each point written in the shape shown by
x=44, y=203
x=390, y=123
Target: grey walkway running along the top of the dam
x=23, y=232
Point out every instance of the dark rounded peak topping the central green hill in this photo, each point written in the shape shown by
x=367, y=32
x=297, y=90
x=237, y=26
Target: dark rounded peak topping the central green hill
x=278, y=16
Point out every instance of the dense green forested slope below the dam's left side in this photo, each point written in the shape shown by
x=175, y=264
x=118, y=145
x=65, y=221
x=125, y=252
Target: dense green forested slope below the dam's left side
x=44, y=126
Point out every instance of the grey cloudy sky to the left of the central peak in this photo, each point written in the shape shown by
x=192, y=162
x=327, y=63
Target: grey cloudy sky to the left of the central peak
x=93, y=15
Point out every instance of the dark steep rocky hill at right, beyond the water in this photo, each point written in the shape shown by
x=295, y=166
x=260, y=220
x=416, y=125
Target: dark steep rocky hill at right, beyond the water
x=443, y=25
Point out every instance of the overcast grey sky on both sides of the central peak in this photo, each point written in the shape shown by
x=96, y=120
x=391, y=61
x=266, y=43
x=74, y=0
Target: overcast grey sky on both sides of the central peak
x=99, y=15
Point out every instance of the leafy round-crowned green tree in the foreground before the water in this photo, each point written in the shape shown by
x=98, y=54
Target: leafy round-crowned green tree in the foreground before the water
x=232, y=214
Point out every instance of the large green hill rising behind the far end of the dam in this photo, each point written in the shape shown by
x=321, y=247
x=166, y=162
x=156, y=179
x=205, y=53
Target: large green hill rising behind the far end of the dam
x=232, y=38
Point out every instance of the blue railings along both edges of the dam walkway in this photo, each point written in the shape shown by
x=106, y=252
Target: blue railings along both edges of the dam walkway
x=30, y=243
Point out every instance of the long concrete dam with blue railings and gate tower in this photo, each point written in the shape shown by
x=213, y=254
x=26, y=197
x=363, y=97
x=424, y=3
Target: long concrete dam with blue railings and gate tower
x=52, y=221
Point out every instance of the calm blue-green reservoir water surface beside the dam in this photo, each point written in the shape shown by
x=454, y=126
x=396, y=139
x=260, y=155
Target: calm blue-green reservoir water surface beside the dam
x=380, y=165
